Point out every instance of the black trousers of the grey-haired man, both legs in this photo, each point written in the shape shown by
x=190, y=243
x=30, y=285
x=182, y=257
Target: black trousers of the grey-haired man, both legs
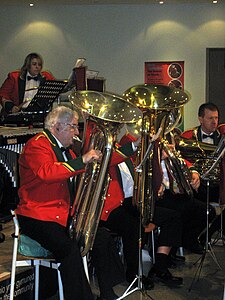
x=105, y=258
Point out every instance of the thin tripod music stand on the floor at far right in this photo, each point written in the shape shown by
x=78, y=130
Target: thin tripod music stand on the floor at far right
x=208, y=247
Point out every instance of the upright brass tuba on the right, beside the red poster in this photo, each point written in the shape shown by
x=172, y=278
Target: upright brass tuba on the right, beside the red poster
x=157, y=102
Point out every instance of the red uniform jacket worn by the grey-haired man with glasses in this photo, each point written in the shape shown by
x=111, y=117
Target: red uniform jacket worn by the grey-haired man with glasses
x=44, y=192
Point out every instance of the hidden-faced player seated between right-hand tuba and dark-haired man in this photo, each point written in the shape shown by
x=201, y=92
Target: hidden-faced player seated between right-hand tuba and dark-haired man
x=193, y=212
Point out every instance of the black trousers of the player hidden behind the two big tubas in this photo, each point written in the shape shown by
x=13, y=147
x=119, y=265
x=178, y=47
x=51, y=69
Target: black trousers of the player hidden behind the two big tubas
x=124, y=221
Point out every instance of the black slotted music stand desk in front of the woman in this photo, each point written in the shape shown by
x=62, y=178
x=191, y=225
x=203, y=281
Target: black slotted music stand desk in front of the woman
x=46, y=95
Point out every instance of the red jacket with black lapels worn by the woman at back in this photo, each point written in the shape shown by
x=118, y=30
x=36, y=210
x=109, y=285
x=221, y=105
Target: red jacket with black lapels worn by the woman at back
x=13, y=87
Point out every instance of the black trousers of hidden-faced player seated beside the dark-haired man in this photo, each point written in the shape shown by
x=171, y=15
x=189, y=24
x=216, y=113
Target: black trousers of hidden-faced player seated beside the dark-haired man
x=193, y=213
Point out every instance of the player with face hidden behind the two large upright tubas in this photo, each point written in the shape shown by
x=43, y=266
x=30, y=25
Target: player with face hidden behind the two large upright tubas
x=121, y=217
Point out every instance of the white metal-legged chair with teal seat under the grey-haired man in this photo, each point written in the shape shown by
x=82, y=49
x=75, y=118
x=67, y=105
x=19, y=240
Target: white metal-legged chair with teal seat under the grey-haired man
x=32, y=260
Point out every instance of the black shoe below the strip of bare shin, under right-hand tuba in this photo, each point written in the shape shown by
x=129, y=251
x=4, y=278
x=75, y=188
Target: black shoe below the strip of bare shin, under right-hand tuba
x=165, y=277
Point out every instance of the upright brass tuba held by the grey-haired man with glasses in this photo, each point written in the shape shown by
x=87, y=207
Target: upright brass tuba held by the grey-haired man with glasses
x=103, y=114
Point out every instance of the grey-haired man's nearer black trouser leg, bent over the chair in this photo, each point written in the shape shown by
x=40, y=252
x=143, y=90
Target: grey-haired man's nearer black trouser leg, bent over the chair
x=53, y=237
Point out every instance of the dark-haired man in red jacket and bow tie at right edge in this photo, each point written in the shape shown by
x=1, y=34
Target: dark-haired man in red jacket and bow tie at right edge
x=209, y=132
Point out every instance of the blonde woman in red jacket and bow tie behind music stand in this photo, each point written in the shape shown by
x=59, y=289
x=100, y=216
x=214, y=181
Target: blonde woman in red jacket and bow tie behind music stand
x=20, y=86
